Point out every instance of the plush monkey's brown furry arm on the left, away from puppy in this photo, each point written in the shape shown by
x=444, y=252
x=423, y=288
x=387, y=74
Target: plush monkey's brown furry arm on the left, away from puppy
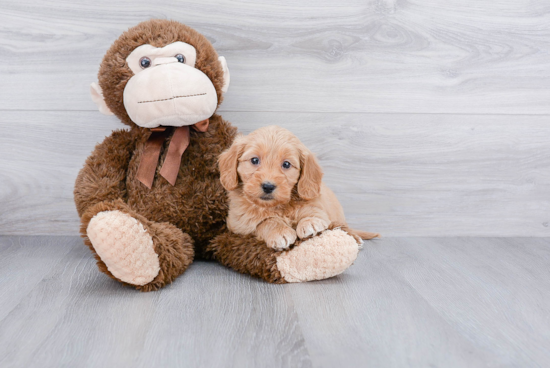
x=103, y=177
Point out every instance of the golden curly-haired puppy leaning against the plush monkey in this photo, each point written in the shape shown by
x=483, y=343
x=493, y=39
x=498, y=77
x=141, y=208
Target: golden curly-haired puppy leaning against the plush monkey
x=275, y=189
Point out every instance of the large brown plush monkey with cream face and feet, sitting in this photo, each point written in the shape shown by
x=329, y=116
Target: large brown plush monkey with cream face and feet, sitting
x=150, y=198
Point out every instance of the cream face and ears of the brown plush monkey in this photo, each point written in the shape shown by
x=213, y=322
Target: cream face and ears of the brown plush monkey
x=166, y=88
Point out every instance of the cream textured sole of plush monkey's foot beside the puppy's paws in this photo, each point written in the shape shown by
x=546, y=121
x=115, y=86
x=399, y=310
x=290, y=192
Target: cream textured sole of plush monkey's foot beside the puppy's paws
x=326, y=255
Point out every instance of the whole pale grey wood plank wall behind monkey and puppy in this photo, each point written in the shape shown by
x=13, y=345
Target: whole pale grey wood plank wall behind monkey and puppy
x=431, y=118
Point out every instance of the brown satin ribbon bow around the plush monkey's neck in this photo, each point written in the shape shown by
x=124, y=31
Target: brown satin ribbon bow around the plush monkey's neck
x=170, y=167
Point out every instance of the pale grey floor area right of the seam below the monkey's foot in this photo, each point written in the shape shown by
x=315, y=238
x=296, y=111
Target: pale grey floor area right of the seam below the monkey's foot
x=451, y=302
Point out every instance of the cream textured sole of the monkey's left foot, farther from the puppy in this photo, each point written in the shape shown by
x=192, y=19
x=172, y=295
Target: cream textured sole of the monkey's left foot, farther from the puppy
x=124, y=246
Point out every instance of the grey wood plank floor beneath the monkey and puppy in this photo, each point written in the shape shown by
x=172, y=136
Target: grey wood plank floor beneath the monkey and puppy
x=419, y=302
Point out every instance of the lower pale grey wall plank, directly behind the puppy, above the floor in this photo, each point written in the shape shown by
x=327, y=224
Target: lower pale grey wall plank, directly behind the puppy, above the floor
x=398, y=174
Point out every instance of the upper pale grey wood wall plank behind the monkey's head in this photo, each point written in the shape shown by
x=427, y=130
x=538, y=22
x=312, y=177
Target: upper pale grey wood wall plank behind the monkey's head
x=421, y=56
